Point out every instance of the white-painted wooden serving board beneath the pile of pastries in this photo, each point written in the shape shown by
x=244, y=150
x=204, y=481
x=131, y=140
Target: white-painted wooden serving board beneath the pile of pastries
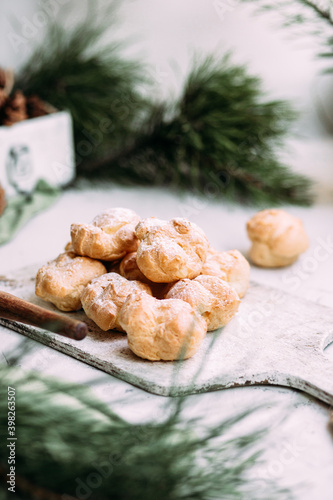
x=275, y=339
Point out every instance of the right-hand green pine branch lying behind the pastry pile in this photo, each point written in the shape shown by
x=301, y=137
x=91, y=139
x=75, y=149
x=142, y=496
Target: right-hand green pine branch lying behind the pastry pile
x=219, y=139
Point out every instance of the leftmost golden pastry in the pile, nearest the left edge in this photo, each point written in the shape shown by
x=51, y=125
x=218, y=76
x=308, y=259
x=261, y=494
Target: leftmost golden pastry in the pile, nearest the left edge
x=62, y=280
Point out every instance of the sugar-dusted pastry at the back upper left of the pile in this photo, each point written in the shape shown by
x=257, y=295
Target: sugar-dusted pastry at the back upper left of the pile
x=109, y=236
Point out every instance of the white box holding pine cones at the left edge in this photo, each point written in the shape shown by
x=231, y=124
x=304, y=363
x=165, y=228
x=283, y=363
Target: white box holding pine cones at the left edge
x=37, y=148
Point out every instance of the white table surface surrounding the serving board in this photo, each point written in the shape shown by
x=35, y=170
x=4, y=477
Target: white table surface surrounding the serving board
x=298, y=446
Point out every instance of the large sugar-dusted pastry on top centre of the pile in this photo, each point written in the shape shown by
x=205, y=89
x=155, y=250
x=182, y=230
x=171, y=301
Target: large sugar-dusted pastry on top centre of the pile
x=170, y=251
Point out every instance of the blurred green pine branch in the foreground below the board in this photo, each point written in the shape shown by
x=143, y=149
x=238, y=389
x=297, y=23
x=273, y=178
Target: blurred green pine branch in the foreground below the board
x=67, y=437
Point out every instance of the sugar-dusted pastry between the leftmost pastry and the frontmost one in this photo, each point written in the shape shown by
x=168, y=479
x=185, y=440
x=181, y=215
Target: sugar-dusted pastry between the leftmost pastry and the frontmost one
x=103, y=297
